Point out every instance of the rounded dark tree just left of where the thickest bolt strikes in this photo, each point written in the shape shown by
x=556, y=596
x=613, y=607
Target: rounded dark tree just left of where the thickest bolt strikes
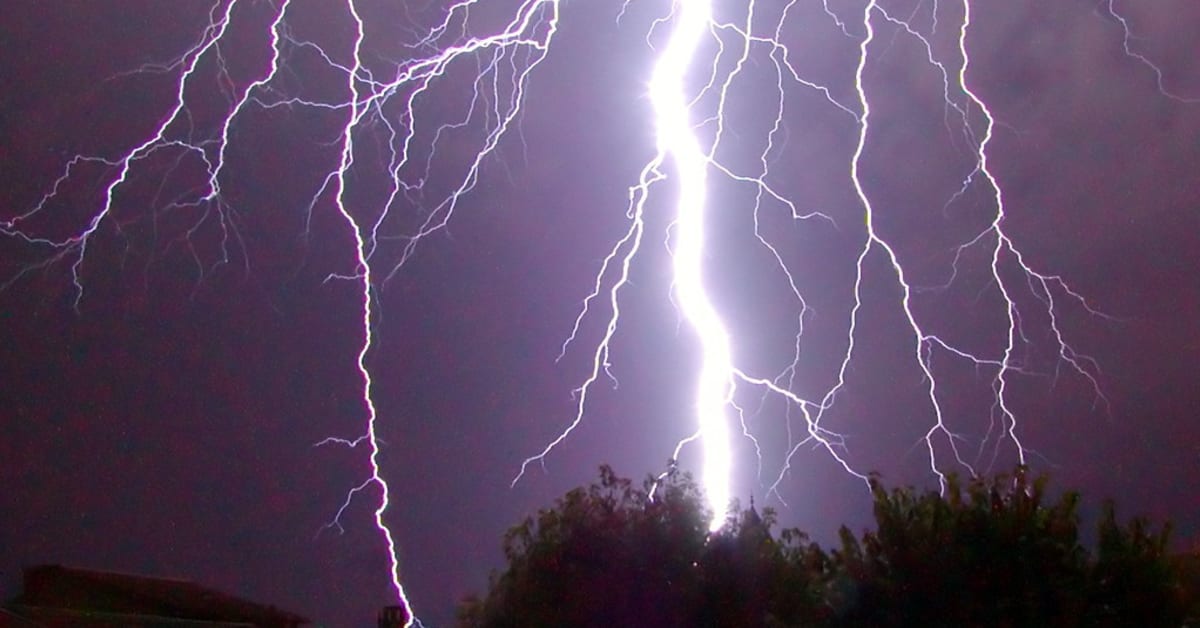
x=605, y=555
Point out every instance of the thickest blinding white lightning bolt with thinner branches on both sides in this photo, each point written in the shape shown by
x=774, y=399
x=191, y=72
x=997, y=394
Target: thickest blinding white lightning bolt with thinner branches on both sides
x=718, y=375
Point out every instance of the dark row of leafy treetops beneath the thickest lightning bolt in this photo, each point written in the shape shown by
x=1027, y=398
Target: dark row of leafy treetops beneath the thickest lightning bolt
x=994, y=553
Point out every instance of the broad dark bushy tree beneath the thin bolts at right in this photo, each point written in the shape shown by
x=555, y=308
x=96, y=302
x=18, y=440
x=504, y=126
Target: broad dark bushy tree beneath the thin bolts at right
x=994, y=554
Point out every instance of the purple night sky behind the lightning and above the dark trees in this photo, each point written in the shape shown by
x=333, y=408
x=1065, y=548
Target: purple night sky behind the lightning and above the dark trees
x=166, y=424
